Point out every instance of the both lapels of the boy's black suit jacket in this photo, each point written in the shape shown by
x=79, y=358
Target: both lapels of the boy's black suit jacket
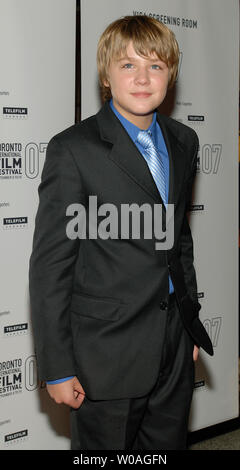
x=125, y=154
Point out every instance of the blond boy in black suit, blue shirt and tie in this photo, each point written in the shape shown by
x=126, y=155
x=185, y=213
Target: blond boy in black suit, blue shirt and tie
x=116, y=320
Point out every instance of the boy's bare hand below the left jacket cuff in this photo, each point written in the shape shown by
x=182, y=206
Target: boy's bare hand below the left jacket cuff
x=69, y=392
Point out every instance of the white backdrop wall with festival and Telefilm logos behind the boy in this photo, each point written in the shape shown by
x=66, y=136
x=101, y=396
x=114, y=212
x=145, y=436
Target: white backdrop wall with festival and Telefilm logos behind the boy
x=37, y=100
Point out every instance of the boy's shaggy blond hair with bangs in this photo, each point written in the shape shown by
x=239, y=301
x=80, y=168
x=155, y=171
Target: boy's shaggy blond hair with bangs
x=148, y=36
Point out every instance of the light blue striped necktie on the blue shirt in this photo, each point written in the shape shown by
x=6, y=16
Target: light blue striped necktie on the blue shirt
x=154, y=162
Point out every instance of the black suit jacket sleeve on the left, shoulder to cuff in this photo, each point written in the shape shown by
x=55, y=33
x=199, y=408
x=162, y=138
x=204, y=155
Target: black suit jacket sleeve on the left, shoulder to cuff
x=52, y=262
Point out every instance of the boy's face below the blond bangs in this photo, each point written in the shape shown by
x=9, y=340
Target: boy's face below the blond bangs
x=138, y=85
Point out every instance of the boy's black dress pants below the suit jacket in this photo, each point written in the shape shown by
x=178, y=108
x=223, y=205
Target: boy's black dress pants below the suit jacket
x=156, y=421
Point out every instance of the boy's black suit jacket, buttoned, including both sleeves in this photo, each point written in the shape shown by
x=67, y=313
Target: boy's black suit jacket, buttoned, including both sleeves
x=99, y=306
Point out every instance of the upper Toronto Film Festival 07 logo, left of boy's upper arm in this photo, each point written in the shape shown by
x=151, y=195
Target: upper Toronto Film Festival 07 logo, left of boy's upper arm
x=17, y=160
